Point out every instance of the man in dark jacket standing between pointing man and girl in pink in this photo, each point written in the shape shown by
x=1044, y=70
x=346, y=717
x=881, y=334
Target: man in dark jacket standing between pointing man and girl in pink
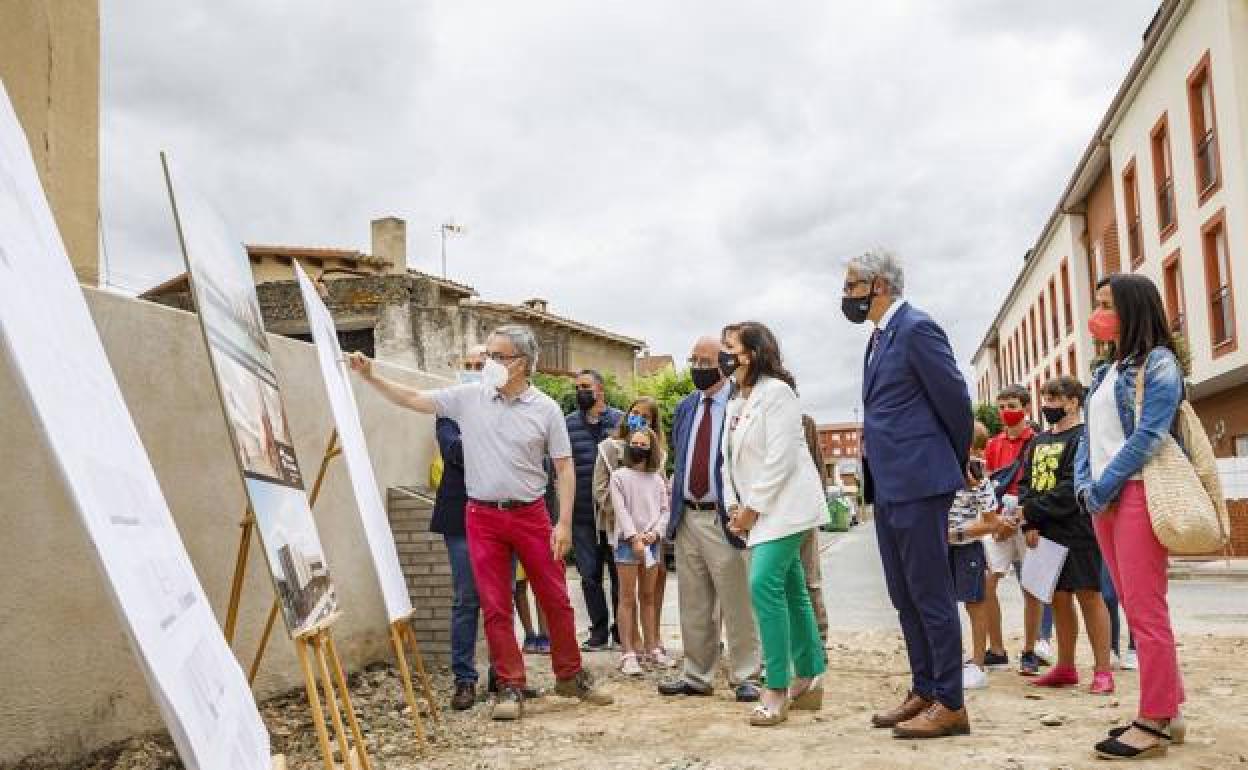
x=588, y=425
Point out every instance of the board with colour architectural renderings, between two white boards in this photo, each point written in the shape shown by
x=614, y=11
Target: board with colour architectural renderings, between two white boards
x=225, y=298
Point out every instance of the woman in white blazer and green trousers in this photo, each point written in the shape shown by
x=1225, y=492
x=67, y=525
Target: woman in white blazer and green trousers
x=774, y=497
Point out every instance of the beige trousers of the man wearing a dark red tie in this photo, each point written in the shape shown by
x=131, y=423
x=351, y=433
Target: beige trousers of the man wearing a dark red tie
x=713, y=580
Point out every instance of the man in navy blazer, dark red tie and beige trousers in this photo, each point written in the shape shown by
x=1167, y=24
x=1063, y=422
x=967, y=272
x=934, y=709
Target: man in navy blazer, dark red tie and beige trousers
x=711, y=561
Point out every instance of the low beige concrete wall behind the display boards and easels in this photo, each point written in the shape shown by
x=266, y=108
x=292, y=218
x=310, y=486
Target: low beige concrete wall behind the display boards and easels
x=71, y=681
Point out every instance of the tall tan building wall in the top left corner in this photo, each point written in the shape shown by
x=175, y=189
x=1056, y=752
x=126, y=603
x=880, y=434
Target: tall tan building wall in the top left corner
x=51, y=66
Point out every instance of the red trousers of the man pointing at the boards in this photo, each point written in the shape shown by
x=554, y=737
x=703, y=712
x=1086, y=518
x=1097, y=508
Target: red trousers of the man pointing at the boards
x=495, y=536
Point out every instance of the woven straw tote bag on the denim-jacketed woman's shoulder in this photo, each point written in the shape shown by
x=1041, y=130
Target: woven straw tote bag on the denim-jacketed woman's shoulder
x=1185, y=496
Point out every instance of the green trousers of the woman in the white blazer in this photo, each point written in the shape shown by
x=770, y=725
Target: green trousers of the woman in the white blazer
x=787, y=621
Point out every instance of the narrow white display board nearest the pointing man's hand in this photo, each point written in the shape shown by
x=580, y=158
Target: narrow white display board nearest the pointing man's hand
x=355, y=450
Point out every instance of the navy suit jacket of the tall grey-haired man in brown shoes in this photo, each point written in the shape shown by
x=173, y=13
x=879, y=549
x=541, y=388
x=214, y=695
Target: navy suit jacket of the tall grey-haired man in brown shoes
x=918, y=420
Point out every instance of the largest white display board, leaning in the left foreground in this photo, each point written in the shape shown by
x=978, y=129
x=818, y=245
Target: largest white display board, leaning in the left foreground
x=52, y=343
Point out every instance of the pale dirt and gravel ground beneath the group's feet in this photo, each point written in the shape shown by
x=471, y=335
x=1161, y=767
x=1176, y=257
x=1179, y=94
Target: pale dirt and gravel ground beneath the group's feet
x=1010, y=721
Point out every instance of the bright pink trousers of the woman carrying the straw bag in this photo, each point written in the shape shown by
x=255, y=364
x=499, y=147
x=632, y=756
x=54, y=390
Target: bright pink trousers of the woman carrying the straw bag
x=1139, y=567
